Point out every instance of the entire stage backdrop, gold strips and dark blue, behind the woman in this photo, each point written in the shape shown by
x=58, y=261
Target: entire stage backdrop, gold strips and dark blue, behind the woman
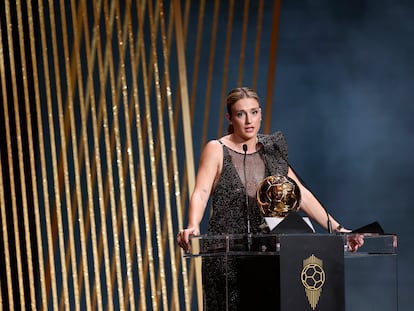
x=107, y=104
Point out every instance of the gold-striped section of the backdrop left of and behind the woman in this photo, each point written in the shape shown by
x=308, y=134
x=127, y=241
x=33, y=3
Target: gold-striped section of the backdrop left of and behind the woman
x=104, y=106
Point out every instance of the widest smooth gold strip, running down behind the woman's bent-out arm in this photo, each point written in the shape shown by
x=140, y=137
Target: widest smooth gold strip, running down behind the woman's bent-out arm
x=186, y=117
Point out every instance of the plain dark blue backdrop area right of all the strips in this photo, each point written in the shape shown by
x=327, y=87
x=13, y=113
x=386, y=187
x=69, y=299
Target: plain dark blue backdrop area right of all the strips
x=343, y=97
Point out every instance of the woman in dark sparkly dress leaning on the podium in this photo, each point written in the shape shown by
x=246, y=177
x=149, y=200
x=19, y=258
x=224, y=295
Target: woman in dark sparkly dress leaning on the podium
x=225, y=165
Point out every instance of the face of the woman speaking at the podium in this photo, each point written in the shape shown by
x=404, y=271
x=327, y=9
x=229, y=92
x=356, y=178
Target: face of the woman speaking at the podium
x=246, y=117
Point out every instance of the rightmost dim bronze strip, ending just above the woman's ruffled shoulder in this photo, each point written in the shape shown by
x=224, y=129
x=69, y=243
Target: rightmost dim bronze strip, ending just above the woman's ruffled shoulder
x=272, y=67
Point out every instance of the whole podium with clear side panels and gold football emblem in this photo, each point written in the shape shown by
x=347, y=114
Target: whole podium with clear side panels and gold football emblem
x=306, y=271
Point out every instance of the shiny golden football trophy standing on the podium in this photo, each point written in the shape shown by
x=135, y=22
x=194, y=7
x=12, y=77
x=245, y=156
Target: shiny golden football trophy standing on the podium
x=277, y=196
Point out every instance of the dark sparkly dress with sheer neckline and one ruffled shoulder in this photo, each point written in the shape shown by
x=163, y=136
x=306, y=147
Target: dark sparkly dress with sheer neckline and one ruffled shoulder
x=230, y=214
